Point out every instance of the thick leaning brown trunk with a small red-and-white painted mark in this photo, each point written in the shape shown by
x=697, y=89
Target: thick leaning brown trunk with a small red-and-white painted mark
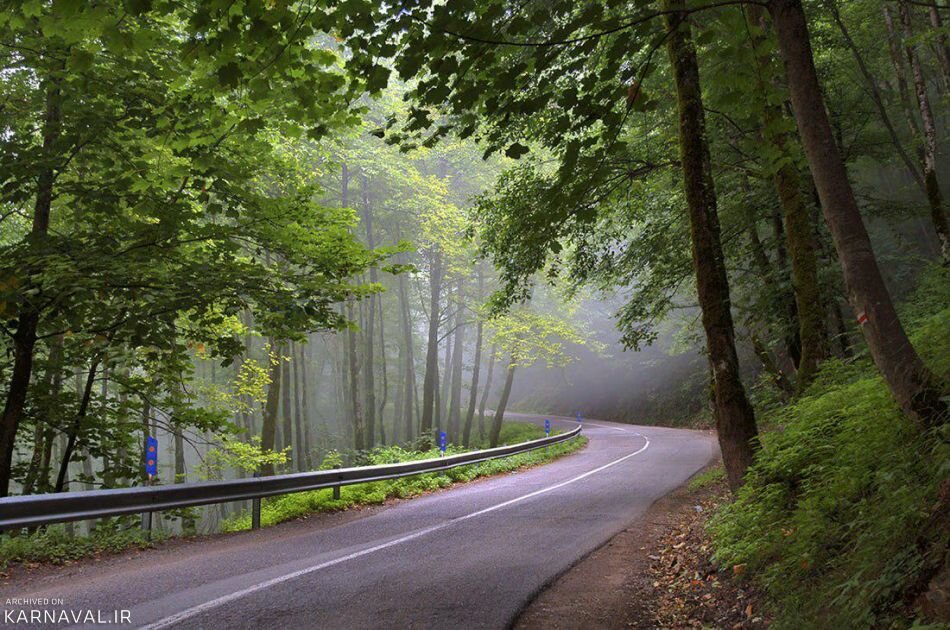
x=911, y=383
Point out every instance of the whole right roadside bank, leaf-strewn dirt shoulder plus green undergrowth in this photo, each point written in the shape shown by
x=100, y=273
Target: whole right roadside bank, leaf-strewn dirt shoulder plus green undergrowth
x=842, y=522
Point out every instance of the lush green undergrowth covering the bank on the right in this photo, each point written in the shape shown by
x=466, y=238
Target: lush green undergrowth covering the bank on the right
x=836, y=519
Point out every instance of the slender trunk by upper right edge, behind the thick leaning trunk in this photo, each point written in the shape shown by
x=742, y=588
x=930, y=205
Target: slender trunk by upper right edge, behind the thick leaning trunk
x=934, y=195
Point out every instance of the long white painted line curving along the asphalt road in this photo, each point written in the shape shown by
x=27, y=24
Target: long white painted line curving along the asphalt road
x=214, y=603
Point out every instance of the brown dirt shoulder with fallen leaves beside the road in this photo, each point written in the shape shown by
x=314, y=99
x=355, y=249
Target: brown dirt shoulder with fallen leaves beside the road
x=655, y=574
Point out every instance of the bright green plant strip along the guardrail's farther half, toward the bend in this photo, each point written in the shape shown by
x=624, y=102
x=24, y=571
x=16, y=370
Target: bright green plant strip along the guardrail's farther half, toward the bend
x=291, y=506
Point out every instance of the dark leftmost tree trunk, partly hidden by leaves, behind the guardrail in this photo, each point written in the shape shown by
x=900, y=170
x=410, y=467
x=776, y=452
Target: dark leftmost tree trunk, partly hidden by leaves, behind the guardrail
x=24, y=338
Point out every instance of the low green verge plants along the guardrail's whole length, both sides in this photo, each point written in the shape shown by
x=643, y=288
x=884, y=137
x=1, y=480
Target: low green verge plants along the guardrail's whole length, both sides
x=53, y=545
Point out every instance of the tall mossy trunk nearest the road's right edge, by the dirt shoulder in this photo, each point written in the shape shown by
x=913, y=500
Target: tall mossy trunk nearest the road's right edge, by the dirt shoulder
x=735, y=420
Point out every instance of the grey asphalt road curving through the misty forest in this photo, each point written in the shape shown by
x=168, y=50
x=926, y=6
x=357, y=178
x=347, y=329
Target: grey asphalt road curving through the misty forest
x=469, y=557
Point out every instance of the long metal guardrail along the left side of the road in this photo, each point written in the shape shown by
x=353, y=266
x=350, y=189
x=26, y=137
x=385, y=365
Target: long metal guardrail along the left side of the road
x=44, y=509
